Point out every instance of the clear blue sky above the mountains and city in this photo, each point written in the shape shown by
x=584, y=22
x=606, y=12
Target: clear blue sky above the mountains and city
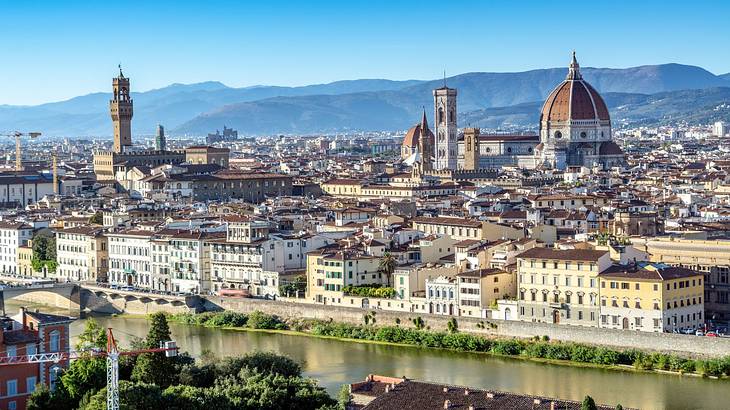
x=53, y=50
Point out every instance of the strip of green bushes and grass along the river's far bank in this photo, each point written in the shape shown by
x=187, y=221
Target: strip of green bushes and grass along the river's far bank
x=539, y=349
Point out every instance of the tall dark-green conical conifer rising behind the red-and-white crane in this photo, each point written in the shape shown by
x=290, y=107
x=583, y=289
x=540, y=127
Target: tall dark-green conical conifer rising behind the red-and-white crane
x=156, y=368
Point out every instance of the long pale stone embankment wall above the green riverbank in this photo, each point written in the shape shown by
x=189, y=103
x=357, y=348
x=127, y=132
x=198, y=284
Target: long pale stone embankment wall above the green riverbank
x=664, y=342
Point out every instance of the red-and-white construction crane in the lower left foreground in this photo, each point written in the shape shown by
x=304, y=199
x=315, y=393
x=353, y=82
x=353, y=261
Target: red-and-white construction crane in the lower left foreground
x=112, y=354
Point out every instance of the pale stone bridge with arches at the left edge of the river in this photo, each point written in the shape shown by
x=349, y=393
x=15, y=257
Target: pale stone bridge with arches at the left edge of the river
x=78, y=297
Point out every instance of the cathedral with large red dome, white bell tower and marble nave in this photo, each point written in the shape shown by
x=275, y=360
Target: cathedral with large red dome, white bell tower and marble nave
x=575, y=130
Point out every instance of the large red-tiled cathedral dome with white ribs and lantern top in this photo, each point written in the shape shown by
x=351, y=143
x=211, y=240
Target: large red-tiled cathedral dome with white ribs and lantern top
x=574, y=99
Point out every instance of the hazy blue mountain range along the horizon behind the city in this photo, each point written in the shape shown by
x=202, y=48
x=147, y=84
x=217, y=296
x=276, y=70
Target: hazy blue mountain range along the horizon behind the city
x=647, y=95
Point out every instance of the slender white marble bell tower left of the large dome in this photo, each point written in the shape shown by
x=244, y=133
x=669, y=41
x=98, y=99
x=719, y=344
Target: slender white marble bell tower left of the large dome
x=444, y=100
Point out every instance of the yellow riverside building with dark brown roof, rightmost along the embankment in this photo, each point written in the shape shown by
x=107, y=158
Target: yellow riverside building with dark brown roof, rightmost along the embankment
x=651, y=298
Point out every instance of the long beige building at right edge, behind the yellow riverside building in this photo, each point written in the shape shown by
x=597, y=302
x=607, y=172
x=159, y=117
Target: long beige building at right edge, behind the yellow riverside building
x=710, y=257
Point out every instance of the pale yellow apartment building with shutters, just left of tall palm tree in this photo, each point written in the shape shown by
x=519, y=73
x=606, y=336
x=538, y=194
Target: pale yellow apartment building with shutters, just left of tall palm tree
x=329, y=271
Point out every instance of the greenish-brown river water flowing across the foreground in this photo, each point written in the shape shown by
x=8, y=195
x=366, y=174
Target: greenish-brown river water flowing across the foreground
x=334, y=363
